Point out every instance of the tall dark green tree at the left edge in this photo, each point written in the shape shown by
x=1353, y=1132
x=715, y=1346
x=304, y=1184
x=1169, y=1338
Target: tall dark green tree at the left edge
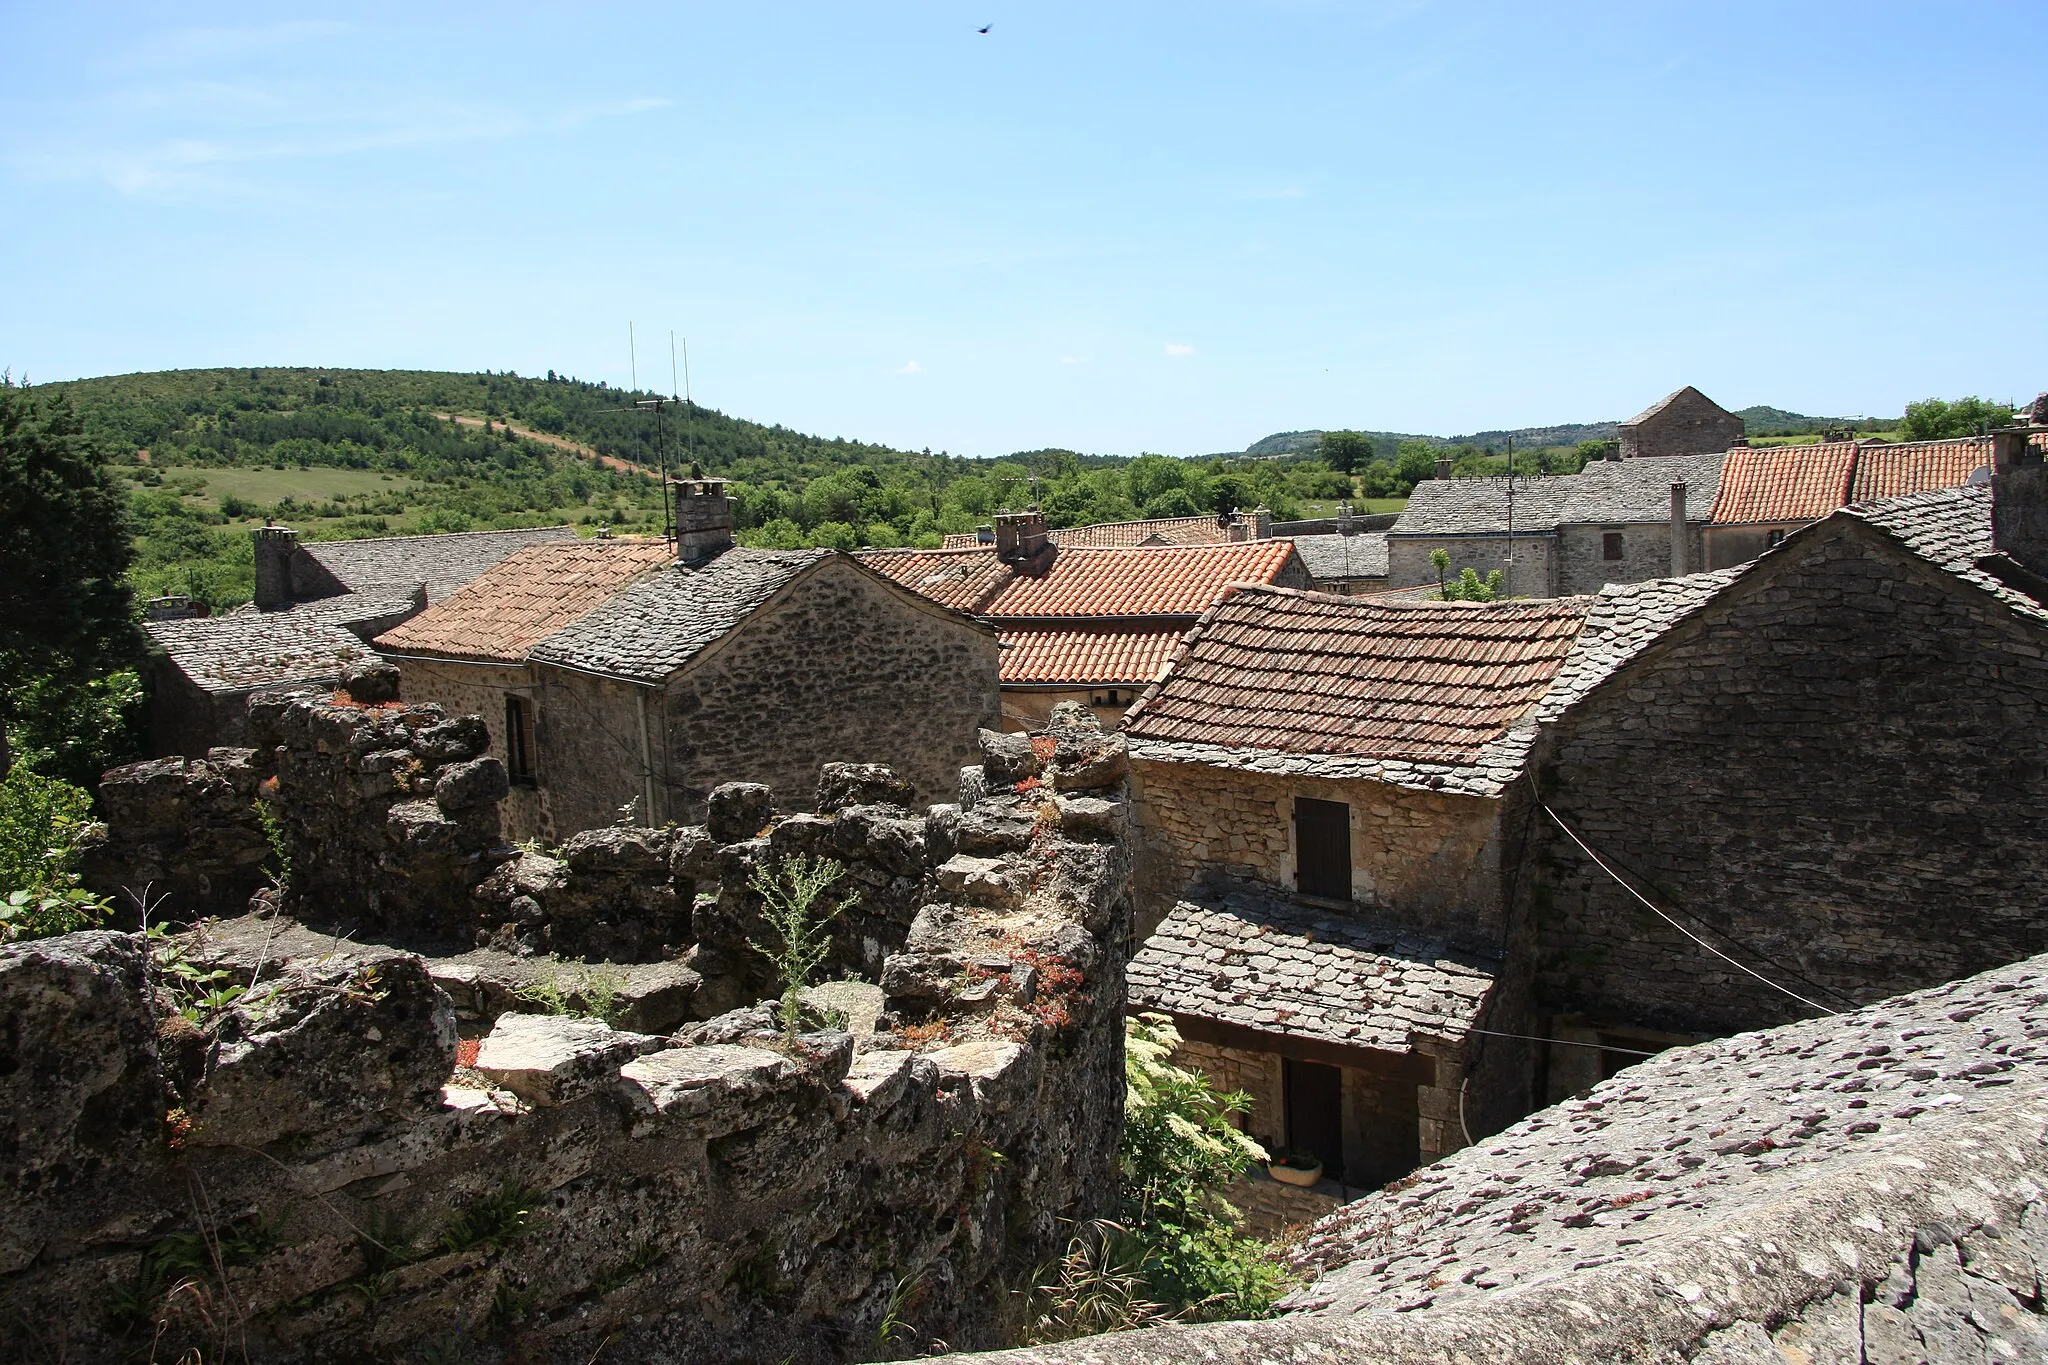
x=67, y=615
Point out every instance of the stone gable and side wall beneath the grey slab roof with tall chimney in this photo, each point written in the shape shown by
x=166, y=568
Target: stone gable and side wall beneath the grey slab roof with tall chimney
x=843, y=668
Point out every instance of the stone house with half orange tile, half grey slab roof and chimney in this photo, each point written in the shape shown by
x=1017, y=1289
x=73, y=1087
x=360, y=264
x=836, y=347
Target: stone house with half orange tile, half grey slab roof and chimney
x=622, y=678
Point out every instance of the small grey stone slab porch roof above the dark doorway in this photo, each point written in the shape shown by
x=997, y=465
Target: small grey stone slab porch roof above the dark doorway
x=1285, y=969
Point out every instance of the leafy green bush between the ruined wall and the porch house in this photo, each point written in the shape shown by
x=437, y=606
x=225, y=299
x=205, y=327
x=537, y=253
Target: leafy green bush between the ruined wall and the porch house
x=1177, y=1249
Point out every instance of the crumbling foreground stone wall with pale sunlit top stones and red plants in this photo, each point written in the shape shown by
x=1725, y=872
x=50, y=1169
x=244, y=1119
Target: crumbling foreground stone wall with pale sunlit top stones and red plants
x=306, y=1174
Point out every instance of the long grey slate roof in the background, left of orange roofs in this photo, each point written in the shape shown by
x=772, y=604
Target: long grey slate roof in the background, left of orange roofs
x=1605, y=492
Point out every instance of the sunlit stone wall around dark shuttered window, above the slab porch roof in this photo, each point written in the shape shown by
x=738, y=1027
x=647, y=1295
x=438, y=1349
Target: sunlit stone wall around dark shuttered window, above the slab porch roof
x=1426, y=861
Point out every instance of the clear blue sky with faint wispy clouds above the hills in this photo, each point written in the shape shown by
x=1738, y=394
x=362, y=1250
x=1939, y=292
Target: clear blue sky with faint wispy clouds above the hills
x=1101, y=226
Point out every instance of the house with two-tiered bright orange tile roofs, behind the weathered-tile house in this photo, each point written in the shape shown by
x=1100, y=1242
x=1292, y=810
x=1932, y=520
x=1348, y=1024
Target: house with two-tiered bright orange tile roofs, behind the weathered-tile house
x=1084, y=623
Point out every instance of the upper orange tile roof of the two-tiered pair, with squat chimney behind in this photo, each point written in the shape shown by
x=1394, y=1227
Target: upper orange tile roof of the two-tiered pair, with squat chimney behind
x=1086, y=582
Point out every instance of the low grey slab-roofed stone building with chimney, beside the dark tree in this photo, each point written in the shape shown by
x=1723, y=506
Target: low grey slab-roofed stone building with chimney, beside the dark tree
x=316, y=609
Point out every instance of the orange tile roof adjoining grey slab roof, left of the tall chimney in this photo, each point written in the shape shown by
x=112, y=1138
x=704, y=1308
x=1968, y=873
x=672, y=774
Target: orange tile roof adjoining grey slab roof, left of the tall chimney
x=521, y=601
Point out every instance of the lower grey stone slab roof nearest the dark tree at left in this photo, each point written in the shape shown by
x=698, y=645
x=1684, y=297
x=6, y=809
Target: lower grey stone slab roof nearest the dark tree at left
x=310, y=642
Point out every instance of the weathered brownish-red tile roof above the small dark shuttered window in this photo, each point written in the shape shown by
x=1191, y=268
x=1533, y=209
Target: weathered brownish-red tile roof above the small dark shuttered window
x=1422, y=682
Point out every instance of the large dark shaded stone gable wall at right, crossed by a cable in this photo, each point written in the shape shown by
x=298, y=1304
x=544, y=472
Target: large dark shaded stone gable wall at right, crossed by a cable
x=1838, y=764
